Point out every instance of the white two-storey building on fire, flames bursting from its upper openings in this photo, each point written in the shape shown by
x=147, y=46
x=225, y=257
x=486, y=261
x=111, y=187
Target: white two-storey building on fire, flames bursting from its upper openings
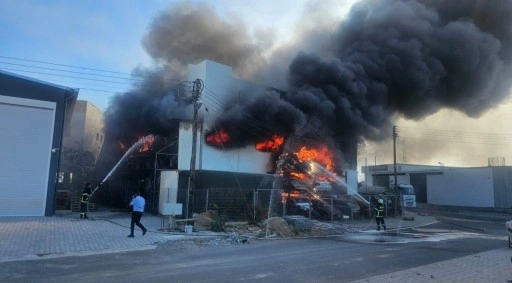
x=237, y=155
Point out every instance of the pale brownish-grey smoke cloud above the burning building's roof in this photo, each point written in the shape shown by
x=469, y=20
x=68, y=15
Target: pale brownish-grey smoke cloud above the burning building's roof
x=189, y=33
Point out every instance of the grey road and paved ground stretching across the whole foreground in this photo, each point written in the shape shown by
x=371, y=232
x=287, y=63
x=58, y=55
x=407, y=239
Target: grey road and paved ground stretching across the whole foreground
x=67, y=249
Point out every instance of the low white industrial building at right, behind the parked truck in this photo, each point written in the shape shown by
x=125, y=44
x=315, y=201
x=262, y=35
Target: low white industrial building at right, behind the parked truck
x=484, y=187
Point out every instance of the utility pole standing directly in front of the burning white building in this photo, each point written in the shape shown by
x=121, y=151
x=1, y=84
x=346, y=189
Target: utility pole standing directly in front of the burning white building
x=197, y=88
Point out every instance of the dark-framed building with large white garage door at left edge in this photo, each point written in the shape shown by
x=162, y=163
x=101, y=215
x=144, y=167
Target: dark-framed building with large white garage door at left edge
x=33, y=117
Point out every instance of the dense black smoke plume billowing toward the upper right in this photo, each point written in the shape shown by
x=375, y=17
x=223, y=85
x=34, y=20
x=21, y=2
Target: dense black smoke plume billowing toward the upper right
x=408, y=58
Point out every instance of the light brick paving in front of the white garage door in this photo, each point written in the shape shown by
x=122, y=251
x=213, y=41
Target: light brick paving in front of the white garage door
x=64, y=235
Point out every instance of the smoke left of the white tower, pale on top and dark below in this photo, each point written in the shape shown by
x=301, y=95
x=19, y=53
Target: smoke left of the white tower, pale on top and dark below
x=184, y=34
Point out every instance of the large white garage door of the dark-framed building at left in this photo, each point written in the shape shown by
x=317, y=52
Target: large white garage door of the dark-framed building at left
x=26, y=129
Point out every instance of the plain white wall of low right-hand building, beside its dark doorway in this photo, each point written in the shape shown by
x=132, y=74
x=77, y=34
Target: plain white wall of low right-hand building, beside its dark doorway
x=462, y=187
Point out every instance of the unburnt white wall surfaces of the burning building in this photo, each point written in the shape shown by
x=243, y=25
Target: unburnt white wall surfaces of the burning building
x=220, y=86
